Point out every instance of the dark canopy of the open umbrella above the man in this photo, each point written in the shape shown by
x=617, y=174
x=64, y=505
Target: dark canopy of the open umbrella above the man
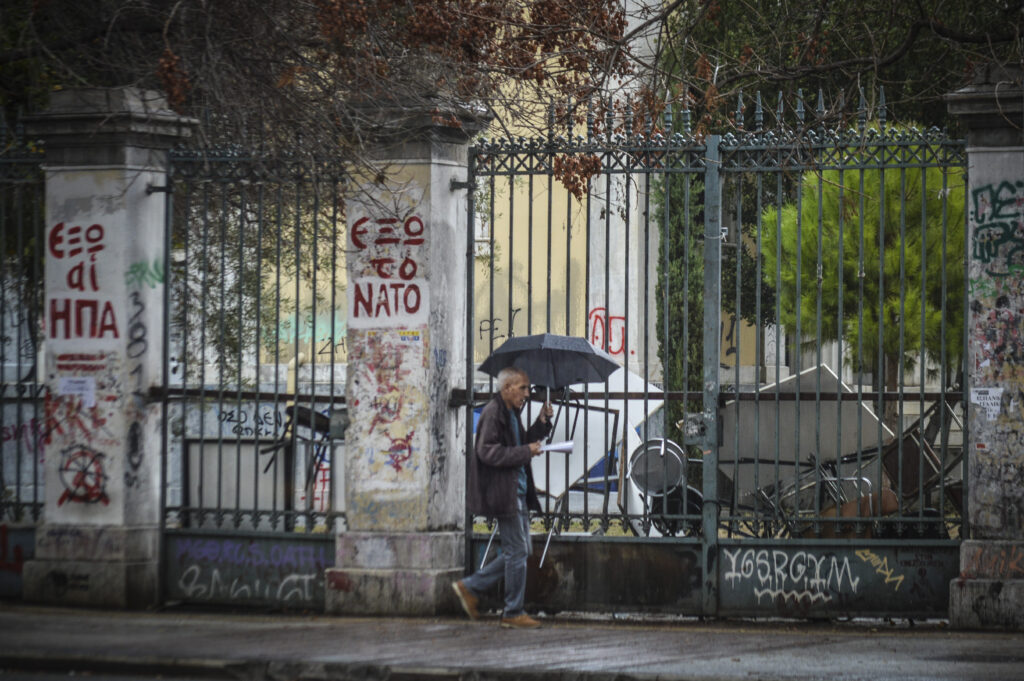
x=552, y=361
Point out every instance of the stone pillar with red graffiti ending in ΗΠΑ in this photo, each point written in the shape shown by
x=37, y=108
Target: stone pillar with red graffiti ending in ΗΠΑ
x=105, y=239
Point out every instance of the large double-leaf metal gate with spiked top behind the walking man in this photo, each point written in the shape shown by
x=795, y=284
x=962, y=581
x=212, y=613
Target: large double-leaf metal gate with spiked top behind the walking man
x=788, y=304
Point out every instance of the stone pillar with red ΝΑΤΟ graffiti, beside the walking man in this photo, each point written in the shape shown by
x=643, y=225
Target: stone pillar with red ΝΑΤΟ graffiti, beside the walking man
x=405, y=466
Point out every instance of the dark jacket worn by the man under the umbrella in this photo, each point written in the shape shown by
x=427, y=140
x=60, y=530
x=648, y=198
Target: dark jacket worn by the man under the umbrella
x=494, y=469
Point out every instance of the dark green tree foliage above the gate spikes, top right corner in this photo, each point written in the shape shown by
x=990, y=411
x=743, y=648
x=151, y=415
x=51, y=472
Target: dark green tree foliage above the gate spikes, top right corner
x=919, y=52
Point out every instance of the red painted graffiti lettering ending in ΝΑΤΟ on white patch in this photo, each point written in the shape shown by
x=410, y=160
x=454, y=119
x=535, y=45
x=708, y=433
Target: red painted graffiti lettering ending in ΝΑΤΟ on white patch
x=388, y=288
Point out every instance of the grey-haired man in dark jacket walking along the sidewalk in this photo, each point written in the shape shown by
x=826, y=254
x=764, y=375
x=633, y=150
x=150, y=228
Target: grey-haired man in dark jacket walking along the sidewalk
x=501, y=486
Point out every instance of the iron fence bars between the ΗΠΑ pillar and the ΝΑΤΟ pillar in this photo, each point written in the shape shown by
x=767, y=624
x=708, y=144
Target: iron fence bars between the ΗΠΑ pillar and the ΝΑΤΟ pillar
x=257, y=351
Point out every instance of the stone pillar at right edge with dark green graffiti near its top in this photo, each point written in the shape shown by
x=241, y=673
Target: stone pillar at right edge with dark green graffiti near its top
x=990, y=592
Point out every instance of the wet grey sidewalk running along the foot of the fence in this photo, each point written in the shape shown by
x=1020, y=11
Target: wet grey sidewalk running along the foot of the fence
x=205, y=646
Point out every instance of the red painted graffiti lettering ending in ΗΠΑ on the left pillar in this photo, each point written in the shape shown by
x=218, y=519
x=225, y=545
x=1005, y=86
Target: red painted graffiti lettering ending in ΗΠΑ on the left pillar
x=83, y=312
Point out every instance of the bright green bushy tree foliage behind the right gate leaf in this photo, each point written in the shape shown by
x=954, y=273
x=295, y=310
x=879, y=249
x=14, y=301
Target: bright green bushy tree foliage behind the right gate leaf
x=904, y=229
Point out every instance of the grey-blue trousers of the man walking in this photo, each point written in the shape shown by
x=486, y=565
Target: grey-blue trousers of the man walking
x=510, y=563
